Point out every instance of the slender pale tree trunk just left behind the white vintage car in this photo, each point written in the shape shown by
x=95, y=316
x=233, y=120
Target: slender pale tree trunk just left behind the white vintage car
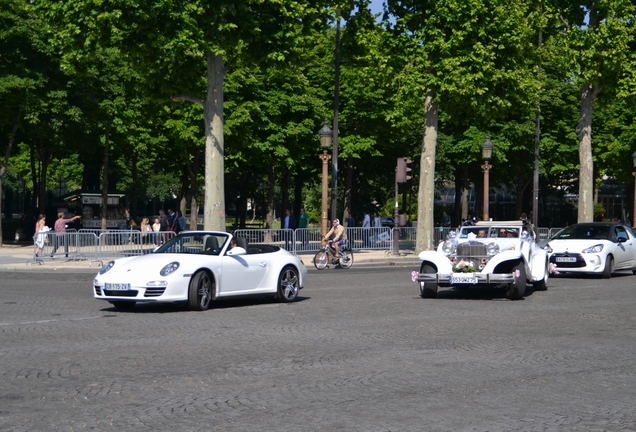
x=426, y=194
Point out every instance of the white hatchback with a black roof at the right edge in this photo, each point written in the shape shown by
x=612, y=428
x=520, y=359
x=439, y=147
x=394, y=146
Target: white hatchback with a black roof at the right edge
x=594, y=248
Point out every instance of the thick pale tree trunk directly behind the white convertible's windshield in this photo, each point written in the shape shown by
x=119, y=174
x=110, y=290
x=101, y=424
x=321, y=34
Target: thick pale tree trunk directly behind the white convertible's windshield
x=214, y=205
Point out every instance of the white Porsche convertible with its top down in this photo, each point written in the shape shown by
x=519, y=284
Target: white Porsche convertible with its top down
x=200, y=266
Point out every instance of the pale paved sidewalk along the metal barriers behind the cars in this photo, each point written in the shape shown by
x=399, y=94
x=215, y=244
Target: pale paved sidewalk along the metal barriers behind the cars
x=20, y=258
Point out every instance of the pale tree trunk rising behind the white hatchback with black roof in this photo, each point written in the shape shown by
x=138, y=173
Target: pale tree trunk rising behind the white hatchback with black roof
x=586, y=174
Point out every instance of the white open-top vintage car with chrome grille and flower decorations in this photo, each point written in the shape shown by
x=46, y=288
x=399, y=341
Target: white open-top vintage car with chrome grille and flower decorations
x=486, y=254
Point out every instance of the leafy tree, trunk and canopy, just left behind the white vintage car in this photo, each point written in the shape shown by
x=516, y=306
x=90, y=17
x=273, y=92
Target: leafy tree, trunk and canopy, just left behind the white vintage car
x=469, y=56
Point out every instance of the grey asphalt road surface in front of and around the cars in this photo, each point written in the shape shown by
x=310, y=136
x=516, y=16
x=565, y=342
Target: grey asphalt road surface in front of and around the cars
x=360, y=351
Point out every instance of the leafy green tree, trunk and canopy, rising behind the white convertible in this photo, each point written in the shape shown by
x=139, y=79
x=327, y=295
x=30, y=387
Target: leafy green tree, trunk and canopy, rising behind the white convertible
x=173, y=43
